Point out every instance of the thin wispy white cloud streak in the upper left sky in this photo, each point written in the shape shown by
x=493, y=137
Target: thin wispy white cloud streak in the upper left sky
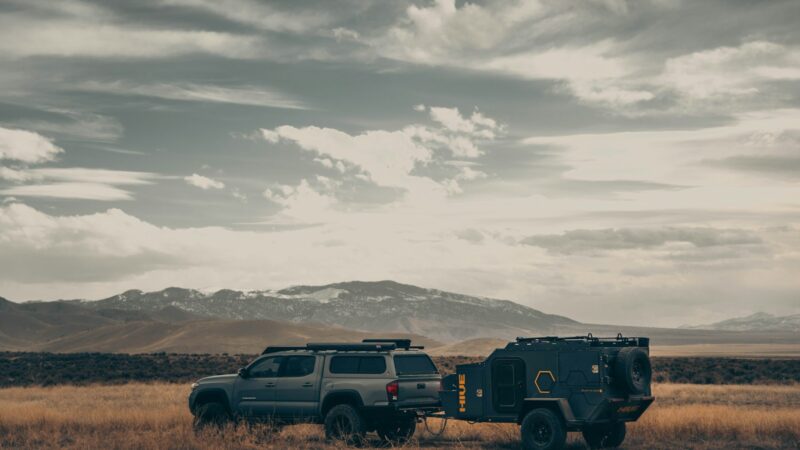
x=244, y=95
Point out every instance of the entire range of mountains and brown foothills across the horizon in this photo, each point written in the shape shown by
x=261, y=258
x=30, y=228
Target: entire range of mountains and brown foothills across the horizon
x=233, y=321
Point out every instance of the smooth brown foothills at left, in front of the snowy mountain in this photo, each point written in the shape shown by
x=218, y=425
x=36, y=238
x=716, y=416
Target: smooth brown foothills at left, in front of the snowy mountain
x=72, y=327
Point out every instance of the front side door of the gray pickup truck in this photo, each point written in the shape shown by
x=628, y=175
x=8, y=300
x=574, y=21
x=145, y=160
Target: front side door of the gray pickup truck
x=255, y=395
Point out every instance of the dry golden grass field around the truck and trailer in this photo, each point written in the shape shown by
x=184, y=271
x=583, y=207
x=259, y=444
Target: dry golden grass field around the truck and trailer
x=155, y=416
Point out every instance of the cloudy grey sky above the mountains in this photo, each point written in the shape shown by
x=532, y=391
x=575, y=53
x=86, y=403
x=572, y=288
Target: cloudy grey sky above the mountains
x=612, y=161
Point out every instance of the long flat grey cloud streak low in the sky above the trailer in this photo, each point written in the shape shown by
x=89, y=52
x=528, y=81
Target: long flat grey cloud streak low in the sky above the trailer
x=581, y=241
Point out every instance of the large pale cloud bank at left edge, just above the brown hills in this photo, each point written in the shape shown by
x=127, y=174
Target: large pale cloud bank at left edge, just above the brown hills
x=36, y=247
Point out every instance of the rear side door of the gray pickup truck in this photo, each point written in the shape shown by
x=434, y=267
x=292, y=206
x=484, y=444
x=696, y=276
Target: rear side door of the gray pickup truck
x=297, y=394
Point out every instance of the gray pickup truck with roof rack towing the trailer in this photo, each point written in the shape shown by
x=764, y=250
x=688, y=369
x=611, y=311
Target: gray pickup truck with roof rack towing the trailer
x=380, y=385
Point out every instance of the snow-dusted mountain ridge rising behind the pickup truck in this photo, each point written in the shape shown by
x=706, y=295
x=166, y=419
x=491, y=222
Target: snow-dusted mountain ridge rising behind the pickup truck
x=368, y=306
